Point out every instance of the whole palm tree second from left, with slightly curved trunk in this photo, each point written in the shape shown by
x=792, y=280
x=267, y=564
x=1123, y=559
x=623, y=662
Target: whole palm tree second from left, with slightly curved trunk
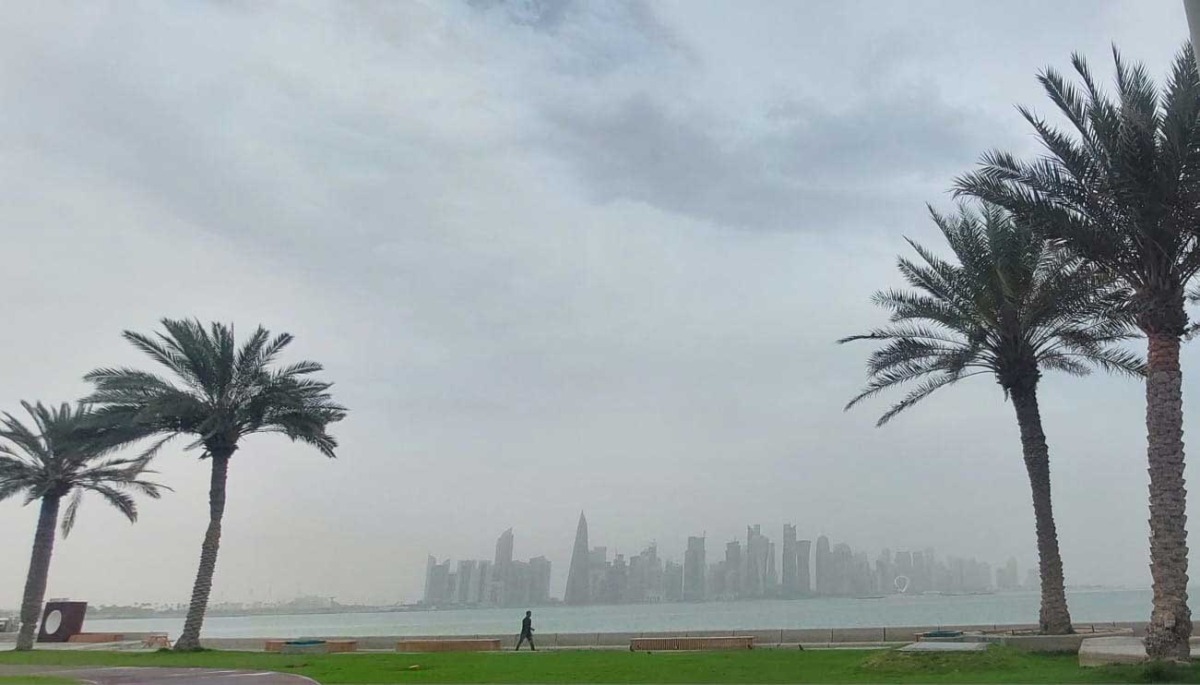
x=218, y=394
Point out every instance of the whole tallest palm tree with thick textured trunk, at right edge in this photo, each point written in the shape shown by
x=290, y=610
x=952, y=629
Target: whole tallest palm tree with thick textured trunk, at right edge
x=1120, y=188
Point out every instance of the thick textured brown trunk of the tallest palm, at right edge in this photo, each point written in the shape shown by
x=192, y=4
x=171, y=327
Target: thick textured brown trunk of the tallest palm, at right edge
x=1171, y=622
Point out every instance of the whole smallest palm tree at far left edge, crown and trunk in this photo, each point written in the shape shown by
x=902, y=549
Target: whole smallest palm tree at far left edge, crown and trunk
x=67, y=454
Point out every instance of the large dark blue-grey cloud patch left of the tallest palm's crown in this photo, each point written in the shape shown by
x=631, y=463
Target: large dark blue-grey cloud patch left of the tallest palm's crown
x=814, y=169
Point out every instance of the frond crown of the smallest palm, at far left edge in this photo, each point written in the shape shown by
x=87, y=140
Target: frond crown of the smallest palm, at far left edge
x=67, y=453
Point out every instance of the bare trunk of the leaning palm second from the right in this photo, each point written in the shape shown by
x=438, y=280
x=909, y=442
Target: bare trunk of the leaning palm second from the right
x=1054, y=618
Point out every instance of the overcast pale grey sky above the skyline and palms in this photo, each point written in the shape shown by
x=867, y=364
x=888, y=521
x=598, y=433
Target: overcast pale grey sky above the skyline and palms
x=556, y=256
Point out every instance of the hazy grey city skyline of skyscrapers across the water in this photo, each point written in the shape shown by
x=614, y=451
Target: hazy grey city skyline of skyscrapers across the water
x=833, y=570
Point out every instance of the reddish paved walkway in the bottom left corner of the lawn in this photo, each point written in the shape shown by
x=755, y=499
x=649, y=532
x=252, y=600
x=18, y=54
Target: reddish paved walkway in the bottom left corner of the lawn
x=128, y=676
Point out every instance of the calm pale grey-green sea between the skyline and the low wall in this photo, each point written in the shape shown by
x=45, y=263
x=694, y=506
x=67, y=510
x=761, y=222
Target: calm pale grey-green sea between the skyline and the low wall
x=1087, y=606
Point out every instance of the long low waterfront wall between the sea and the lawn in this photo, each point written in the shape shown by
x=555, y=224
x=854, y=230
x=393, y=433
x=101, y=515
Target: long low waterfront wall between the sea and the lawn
x=807, y=638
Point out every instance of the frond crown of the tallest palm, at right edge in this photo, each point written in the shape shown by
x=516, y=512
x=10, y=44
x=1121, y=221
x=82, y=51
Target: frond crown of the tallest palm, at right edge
x=1121, y=189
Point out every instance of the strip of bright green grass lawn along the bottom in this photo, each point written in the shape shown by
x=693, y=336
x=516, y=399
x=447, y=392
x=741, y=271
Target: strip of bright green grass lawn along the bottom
x=765, y=666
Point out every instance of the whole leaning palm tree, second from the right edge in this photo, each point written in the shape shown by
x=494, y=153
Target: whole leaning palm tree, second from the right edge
x=1009, y=308
